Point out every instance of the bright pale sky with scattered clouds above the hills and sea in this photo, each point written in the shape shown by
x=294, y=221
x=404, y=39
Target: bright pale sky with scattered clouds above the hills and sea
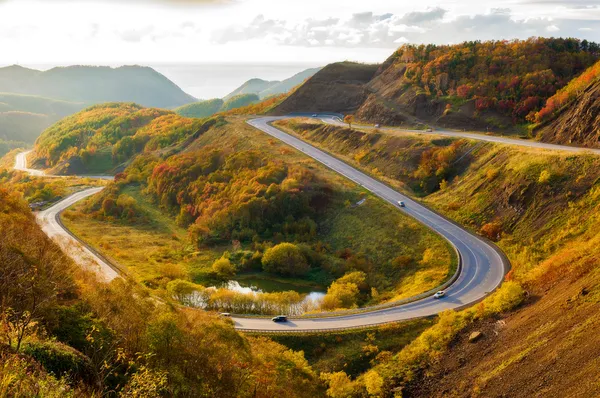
x=115, y=32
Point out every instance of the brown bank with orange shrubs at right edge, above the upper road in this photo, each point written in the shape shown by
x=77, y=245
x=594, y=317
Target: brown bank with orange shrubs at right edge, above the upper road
x=579, y=123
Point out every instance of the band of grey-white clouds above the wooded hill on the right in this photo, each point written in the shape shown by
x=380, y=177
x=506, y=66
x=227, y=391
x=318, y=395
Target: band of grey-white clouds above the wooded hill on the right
x=367, y=29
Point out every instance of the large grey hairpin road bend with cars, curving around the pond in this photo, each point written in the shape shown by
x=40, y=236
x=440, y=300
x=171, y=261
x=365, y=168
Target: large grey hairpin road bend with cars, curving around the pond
x=483, y=267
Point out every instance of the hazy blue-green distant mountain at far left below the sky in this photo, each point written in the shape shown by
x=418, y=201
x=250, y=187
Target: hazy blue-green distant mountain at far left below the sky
x=92, y=85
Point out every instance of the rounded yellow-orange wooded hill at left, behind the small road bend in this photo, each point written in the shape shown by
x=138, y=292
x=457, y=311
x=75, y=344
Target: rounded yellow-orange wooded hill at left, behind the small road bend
x=101, y=137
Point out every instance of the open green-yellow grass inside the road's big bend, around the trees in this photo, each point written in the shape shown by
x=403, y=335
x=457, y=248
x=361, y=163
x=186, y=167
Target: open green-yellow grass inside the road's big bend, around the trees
x=158, y=250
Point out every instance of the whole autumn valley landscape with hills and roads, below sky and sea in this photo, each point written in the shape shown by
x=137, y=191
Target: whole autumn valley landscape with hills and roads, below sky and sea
x=420, y=227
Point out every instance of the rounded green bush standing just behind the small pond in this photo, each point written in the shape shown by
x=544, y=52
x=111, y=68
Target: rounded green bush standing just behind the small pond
x=285, y=259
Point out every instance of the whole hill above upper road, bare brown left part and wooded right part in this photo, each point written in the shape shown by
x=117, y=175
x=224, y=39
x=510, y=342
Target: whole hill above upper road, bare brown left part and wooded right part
x=495, y=85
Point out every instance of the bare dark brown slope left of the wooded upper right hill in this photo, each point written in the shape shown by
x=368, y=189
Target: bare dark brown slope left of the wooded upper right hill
x=339, y=87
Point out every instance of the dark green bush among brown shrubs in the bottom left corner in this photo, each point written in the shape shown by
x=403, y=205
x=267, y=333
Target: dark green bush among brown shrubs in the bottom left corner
x=59, y=359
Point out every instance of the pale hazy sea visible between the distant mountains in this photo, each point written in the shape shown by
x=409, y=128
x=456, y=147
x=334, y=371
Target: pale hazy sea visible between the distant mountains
x=205, y=81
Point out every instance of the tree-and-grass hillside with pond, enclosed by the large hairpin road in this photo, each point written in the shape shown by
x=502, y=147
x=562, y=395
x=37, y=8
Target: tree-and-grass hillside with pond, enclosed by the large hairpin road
x=235, y=186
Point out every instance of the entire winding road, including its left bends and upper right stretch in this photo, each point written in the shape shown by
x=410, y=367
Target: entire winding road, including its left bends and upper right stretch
x=482, y=265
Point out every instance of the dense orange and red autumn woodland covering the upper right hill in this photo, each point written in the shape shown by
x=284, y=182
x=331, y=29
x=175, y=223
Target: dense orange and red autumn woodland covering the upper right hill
x=512, y=77
